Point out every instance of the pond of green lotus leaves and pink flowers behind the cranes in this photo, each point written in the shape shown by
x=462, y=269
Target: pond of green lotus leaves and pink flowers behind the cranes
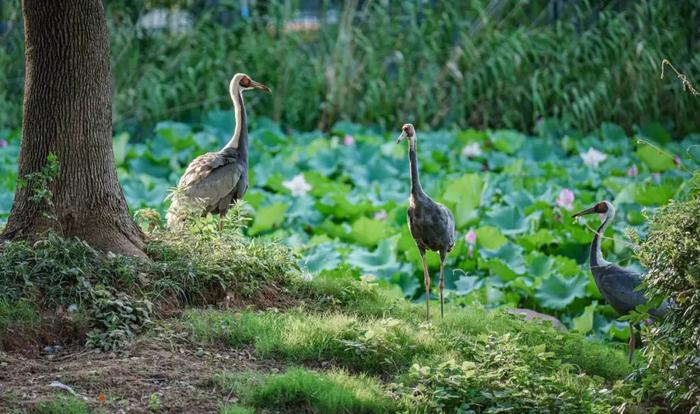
x=340, y=200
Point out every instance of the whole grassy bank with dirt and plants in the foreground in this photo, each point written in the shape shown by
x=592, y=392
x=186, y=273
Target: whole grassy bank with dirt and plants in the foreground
x=240, y=330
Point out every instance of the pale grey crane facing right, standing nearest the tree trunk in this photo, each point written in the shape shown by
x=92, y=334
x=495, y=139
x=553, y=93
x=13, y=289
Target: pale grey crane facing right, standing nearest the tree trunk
x=214, y=180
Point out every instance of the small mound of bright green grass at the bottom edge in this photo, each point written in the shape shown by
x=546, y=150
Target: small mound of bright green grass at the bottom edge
x=302, y=390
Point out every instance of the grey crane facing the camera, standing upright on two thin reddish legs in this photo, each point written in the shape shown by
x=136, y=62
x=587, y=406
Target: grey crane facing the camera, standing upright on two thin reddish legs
x=431, y=224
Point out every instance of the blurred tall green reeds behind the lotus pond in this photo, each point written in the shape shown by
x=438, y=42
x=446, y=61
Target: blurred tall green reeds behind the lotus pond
x=478, y=63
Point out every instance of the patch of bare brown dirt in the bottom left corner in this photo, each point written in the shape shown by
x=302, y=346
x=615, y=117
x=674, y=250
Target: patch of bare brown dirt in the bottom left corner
x=168, y=374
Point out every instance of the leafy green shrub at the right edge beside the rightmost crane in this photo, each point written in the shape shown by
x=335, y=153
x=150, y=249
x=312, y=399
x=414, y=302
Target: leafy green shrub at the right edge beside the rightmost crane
x=671, y=253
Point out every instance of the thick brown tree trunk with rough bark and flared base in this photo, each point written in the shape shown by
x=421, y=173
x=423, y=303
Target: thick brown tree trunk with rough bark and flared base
x=68, y=112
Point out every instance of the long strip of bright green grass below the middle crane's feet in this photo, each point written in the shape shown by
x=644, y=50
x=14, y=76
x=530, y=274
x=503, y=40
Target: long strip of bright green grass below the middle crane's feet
x=355, y=336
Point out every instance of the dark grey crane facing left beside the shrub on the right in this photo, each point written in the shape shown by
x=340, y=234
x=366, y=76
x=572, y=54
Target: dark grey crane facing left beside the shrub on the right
x=619, y=287
